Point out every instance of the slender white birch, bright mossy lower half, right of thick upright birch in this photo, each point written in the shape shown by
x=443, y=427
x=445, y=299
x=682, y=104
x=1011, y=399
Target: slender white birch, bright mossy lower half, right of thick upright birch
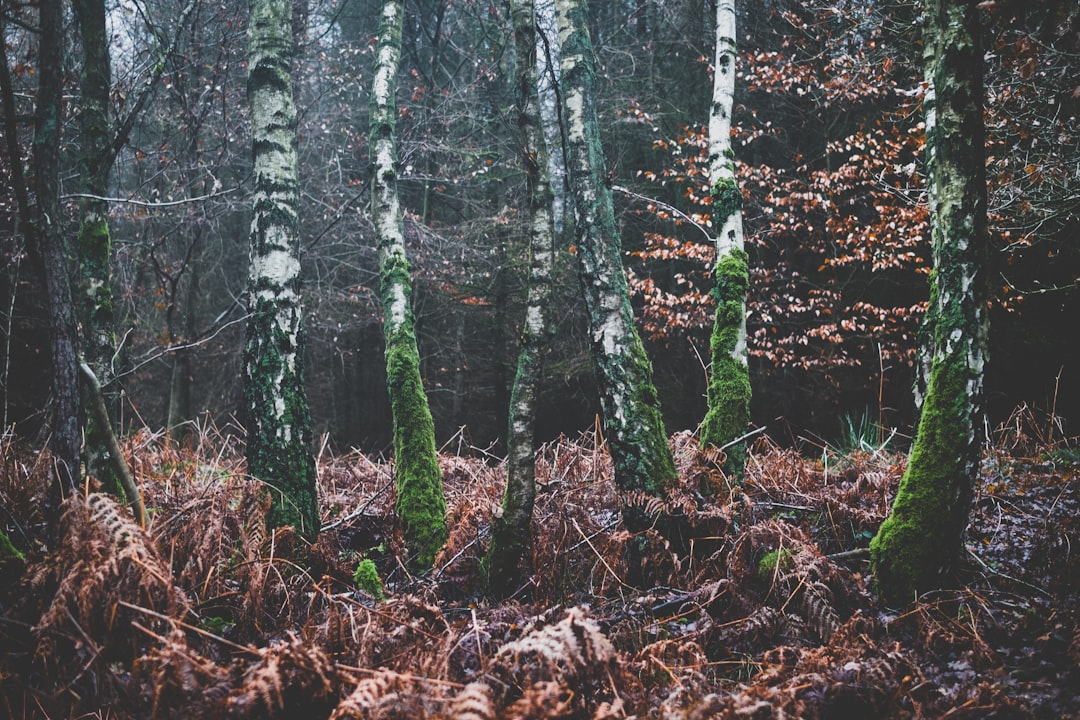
x=421, y=505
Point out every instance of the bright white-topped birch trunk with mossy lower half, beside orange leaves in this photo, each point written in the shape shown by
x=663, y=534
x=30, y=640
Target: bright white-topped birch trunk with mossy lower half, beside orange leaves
x=730, y=389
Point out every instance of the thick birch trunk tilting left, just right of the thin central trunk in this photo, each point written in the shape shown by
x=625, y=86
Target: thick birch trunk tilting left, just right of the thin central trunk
x=631, y=410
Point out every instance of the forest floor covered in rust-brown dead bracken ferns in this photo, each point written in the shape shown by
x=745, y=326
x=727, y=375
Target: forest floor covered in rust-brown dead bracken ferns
x=748, y=603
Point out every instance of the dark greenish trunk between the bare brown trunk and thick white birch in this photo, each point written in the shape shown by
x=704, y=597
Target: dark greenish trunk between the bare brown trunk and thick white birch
x=94, y=287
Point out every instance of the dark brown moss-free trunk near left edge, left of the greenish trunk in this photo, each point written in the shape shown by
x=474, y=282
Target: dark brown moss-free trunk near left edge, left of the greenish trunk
x=48, y=233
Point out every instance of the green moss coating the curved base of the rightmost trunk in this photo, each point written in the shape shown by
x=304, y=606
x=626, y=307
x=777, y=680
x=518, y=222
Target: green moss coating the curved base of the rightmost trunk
x=920, y=542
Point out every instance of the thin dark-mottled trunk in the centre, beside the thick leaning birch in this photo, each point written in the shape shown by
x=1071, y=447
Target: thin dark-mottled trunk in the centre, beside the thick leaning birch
x=510, y=533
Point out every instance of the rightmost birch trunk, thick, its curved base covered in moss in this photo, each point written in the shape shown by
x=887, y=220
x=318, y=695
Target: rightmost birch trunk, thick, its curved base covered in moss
x=917, y=548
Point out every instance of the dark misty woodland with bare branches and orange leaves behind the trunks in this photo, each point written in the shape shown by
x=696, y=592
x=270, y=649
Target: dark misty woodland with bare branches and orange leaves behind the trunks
x=829, y=143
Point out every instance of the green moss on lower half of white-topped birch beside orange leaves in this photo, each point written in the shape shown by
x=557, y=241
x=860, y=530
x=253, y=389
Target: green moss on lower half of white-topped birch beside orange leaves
x=730, y=389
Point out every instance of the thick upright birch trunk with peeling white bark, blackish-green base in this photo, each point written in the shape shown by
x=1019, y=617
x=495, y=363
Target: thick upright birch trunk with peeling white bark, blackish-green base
x=279, y=434
